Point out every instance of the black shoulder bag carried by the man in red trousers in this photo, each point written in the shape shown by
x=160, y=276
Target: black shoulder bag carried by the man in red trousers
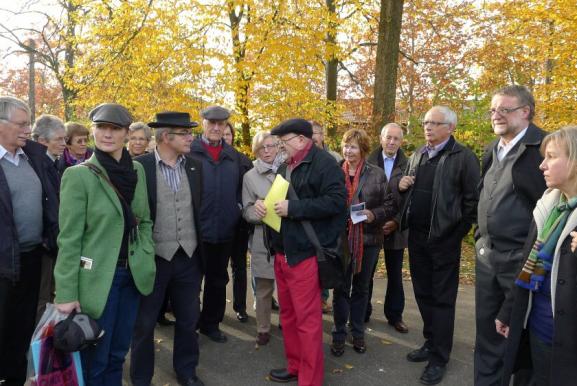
x=332, y=262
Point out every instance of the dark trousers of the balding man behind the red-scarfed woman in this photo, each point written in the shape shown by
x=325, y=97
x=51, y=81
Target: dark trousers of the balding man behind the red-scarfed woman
x=395, y=295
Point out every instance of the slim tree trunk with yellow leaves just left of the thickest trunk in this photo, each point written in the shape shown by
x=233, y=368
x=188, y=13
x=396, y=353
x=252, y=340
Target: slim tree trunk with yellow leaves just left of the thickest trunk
x=331, y=69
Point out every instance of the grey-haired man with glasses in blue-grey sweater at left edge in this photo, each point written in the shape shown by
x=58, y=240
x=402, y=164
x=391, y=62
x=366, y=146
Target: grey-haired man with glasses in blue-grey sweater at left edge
x=28, y=230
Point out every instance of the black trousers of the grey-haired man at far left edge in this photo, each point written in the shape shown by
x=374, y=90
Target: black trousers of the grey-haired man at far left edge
x=18, y=305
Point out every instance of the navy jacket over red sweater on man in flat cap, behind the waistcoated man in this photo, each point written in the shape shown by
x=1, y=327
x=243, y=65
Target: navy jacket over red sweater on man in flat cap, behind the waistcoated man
x=220, y=211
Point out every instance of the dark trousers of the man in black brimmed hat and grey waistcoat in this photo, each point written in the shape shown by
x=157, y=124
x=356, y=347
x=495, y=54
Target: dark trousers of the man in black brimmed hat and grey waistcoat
x=180, y=278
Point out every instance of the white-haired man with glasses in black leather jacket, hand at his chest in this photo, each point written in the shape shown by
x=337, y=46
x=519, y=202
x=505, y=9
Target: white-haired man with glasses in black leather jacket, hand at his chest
x=440, y=208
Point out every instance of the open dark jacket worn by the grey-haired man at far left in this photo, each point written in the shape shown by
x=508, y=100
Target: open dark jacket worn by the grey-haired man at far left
x=9, y=247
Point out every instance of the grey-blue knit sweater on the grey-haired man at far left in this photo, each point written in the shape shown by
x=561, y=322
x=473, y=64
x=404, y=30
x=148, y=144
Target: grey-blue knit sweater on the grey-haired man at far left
x=26, y=193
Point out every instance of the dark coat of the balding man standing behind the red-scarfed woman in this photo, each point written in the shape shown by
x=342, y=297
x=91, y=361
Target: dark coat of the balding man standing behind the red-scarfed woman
x=397, y=239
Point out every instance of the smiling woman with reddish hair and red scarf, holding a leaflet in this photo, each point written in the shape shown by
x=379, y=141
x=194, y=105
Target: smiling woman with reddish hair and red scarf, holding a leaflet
x=366, y=192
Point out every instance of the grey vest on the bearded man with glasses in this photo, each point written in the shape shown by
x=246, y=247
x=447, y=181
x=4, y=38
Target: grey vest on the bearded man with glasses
x=502, y=216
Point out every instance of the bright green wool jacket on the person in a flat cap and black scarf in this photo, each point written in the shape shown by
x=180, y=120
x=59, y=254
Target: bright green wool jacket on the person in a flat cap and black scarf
x=91, y=227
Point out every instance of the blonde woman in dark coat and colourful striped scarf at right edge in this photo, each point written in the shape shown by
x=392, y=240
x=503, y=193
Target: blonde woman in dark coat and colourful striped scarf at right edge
x=541, y=319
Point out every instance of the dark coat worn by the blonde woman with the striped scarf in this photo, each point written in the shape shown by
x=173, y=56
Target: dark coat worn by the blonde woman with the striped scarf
x=564, y=349
